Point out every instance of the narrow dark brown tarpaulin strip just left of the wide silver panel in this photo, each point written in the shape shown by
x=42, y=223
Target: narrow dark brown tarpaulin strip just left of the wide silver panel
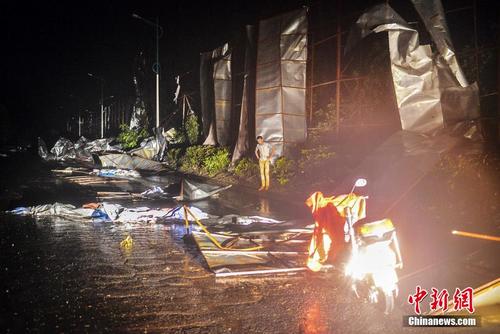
x=246, y=129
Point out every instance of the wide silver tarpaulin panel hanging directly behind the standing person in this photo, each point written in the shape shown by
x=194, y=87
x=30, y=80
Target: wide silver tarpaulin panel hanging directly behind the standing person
x=281, y=80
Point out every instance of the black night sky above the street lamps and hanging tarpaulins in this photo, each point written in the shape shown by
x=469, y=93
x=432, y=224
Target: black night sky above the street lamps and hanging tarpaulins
x=49, y=47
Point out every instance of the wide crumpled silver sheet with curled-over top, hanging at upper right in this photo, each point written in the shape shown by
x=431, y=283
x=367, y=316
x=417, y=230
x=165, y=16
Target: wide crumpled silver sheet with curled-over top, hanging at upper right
x=427, y=93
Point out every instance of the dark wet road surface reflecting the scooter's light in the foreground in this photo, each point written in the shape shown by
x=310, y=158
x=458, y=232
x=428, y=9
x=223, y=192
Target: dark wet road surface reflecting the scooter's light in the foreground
x=62, y=276
